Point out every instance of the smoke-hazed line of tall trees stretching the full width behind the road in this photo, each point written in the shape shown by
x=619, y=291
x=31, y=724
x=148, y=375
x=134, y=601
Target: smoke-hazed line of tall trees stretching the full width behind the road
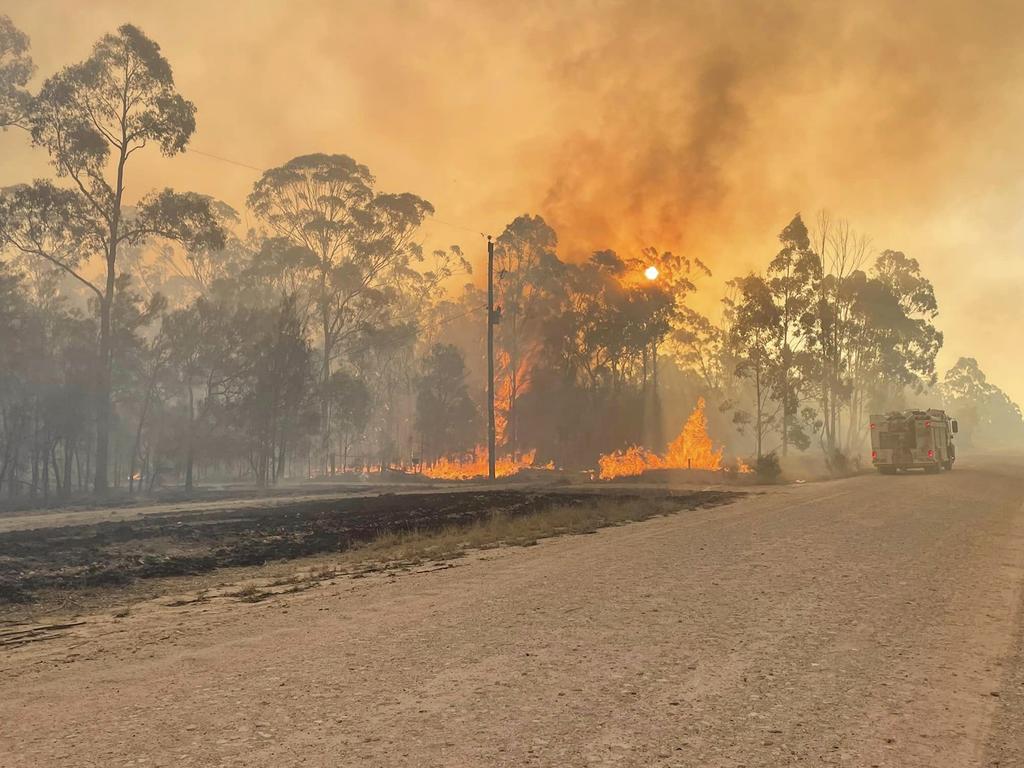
x=158, y=342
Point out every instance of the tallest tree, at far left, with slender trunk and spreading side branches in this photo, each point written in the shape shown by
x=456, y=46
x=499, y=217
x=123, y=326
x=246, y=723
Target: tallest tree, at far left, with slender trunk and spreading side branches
x=93, y=118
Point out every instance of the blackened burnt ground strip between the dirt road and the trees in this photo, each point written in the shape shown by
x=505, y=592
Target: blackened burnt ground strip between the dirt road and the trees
x=178, y=544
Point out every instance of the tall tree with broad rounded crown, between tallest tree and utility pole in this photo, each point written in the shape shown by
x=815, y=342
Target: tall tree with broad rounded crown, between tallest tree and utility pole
x=356, y=247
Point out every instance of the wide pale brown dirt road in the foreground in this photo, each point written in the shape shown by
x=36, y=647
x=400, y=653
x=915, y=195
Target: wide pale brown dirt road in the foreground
x=875, y=621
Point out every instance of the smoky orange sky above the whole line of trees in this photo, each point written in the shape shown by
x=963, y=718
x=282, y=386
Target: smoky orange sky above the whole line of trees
x=699, y=126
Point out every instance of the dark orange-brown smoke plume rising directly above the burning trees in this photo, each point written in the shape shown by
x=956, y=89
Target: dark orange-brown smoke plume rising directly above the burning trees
x=654, y=174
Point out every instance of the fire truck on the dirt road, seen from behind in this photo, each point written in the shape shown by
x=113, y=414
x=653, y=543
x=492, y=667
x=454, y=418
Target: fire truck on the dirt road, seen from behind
x=913, y=440
